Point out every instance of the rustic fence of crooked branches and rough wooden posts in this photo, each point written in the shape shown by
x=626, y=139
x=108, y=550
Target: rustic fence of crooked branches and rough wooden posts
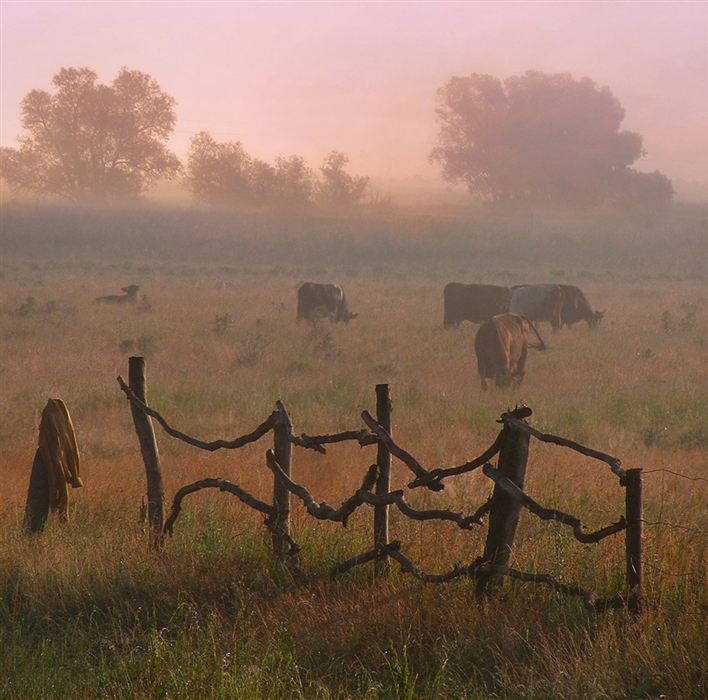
x=503, y=507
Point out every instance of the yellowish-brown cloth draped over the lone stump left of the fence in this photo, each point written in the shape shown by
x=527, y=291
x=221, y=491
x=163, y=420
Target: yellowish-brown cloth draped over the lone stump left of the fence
x=57, y=443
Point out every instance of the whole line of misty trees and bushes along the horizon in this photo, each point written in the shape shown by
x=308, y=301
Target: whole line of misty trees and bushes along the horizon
x=533, y=140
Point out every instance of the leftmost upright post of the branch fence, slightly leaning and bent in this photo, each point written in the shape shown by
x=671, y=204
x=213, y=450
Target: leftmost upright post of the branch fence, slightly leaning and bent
x=148, y=450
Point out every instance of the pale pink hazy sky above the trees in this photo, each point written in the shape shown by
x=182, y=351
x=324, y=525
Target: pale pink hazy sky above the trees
x=309, y=77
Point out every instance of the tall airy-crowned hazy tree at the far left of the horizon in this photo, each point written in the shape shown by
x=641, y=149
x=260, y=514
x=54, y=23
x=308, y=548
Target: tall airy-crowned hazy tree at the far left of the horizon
x=89, y=141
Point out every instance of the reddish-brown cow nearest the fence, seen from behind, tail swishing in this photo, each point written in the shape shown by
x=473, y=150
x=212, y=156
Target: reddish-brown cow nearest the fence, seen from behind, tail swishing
x=501, y=346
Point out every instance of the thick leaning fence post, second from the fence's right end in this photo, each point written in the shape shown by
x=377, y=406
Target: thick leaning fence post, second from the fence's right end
x=504, y=514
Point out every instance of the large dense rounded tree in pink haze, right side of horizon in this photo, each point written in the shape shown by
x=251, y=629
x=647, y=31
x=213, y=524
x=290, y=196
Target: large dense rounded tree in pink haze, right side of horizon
x=537, y=139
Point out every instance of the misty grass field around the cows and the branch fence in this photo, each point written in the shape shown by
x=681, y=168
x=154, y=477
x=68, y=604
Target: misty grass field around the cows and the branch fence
x=87, y=611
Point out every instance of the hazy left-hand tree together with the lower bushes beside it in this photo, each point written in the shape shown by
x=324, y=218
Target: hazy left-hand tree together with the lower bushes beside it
x=106, y=143
